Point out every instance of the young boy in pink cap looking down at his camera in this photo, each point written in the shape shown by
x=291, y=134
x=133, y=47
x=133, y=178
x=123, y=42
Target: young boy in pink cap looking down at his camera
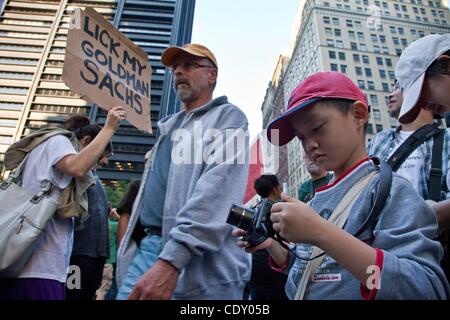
x=398, y=258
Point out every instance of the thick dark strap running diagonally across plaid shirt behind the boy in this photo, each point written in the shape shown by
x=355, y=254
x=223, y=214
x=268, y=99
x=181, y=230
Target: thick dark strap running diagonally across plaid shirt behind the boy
x=409, y=145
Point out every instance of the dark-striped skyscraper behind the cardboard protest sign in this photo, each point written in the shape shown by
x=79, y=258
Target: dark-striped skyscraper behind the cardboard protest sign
x=32, y=43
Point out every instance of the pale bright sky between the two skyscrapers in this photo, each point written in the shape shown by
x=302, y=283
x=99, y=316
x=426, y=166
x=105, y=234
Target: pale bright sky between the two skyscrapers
x=246, y=37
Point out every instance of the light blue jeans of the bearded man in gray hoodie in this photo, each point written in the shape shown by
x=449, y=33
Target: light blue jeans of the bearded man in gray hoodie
x=148, y=252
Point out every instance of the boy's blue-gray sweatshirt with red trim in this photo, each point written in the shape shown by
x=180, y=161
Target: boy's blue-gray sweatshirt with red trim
x=410, y=267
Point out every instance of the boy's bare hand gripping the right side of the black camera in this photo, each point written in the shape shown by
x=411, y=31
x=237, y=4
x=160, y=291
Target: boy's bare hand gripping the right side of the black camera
x=296, y=221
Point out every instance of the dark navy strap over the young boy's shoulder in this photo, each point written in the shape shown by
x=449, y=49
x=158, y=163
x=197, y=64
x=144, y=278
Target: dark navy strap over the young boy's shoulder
x=383, y=189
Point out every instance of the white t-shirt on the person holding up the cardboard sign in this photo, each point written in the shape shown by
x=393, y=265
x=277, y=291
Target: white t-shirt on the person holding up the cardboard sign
x=50, y=259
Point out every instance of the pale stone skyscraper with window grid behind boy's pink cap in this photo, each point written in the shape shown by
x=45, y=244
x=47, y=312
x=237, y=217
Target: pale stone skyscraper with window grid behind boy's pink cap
x=363, y=39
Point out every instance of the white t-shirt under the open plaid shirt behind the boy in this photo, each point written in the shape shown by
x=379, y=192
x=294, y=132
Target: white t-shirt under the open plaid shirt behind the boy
x=410, y=168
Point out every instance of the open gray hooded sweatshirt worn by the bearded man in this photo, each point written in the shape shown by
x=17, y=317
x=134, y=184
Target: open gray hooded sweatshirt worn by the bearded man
x=204, y=181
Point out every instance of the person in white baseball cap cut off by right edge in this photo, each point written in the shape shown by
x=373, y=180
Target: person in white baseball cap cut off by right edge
x=423, y=71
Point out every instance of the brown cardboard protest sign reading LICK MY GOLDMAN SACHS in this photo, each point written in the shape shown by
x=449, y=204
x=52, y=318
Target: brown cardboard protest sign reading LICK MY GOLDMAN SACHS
x=106, y=68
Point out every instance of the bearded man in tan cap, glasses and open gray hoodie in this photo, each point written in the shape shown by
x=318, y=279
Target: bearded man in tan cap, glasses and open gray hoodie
x=189, y=252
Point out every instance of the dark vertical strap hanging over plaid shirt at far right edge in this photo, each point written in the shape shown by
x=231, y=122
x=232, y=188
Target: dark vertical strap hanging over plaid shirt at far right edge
x=435, y=179
